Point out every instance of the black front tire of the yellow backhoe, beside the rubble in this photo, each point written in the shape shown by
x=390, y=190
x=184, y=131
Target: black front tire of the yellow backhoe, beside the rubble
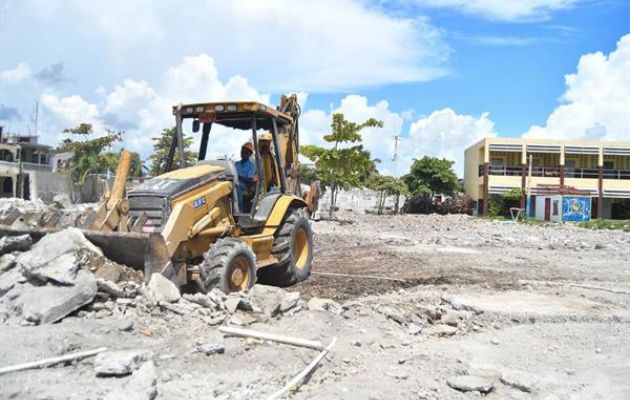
x=218, y=263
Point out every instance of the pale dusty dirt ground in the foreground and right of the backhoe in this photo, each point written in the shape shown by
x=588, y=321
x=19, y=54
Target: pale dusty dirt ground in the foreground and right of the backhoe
x=540, y=312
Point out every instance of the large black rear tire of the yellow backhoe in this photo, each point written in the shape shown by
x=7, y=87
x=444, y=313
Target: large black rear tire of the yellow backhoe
x=285, y=272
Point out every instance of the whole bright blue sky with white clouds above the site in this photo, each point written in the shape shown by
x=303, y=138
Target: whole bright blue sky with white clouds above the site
x=440, y=73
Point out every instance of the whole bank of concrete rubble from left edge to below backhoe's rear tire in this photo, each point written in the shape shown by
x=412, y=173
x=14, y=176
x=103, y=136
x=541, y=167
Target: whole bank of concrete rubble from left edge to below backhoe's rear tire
x=65, y=274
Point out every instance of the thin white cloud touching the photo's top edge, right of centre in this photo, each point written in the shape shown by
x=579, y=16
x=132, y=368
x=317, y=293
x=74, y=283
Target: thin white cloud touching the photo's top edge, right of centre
x=504, y=10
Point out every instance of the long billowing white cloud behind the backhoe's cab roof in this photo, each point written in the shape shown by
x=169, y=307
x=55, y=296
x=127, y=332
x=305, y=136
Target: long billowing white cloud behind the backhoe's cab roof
x=143, y=111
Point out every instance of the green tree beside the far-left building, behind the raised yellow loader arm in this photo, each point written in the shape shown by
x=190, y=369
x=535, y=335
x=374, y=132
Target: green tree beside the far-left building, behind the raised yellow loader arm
x=88, y=157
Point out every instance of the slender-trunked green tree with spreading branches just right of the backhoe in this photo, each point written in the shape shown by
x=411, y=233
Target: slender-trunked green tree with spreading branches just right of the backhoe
x=343, y=166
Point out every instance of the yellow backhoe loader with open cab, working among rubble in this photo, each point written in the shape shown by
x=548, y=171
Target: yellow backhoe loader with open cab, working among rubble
x=188, y=223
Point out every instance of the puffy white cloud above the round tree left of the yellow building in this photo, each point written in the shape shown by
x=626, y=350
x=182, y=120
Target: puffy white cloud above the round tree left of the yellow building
x=445, y=134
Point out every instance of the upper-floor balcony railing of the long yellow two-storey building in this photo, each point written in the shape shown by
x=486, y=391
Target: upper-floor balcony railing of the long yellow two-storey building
x=581, y=173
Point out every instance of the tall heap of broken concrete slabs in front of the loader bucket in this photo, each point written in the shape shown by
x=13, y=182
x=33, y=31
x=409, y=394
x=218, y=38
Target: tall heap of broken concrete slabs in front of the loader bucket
x=45, y=282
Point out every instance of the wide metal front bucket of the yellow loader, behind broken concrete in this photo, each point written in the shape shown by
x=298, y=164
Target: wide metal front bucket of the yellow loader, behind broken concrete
x=141, y=251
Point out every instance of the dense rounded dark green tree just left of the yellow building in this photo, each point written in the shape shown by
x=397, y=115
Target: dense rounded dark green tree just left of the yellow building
x=431, y=176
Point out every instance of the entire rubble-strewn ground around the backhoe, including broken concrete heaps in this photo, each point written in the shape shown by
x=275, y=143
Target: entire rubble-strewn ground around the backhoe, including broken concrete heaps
x=470, y=305
